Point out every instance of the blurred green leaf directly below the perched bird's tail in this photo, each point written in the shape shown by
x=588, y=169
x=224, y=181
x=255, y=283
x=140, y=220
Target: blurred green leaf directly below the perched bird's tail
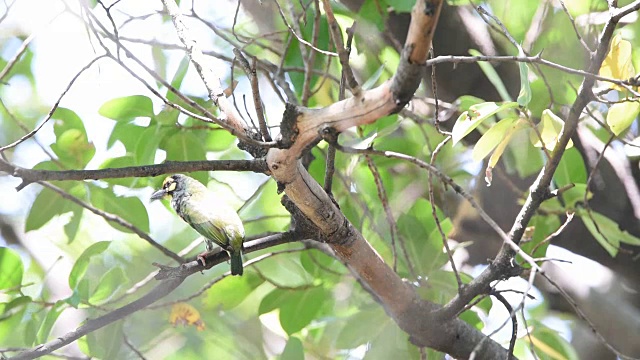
x=231, y=291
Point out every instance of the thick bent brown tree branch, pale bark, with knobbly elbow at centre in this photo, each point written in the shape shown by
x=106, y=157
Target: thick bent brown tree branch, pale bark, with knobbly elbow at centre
x=303, y=127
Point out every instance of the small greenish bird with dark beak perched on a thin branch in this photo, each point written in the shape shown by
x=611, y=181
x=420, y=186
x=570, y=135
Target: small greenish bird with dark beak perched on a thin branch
x=212, y=218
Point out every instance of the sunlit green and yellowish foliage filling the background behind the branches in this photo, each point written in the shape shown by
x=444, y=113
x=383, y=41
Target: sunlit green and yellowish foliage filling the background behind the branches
x=297, y=302
